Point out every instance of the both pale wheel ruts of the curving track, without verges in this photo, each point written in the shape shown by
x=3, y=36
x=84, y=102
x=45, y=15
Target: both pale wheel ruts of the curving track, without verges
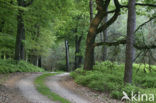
x=28, y=90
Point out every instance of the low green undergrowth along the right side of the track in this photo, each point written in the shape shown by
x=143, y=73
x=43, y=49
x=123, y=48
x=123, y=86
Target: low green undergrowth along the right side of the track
x=108, y=77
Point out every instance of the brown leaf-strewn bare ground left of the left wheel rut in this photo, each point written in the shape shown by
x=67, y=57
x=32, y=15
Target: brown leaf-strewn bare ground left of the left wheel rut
x=9, y=93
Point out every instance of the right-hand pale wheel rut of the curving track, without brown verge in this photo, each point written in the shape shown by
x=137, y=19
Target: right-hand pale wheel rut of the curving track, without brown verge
x=55, y=85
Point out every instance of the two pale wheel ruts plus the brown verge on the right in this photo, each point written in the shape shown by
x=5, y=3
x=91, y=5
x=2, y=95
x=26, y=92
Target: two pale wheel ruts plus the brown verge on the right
x=63, y=85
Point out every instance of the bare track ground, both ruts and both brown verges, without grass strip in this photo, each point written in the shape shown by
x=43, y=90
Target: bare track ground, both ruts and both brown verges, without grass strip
x=19, y=88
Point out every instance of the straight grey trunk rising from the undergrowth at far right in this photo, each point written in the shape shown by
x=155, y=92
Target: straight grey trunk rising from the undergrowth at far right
x=131, y=26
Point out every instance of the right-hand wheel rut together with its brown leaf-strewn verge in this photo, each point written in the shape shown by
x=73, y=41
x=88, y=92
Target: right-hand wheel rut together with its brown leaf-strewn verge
x=65, y=86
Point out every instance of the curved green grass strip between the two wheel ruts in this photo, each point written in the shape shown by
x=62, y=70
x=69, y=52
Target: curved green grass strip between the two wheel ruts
x=43, y=89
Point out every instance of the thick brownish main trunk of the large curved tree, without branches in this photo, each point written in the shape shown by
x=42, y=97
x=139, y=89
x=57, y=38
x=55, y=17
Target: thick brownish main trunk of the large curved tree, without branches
x=89, y=54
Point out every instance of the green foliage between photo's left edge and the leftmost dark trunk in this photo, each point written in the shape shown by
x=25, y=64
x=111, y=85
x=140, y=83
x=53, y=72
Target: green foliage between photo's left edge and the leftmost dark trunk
x=7, y=28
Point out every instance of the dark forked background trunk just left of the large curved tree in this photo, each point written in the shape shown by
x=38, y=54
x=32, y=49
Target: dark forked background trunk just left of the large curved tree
x=78, y=57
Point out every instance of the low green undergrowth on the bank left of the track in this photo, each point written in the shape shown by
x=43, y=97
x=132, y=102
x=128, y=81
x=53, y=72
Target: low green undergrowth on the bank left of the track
x=10, y=66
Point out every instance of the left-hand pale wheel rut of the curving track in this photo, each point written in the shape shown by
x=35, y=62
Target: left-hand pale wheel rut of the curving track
x=28, y=90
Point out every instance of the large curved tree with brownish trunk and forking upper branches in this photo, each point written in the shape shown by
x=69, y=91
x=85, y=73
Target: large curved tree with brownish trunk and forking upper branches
x=95, y=29
